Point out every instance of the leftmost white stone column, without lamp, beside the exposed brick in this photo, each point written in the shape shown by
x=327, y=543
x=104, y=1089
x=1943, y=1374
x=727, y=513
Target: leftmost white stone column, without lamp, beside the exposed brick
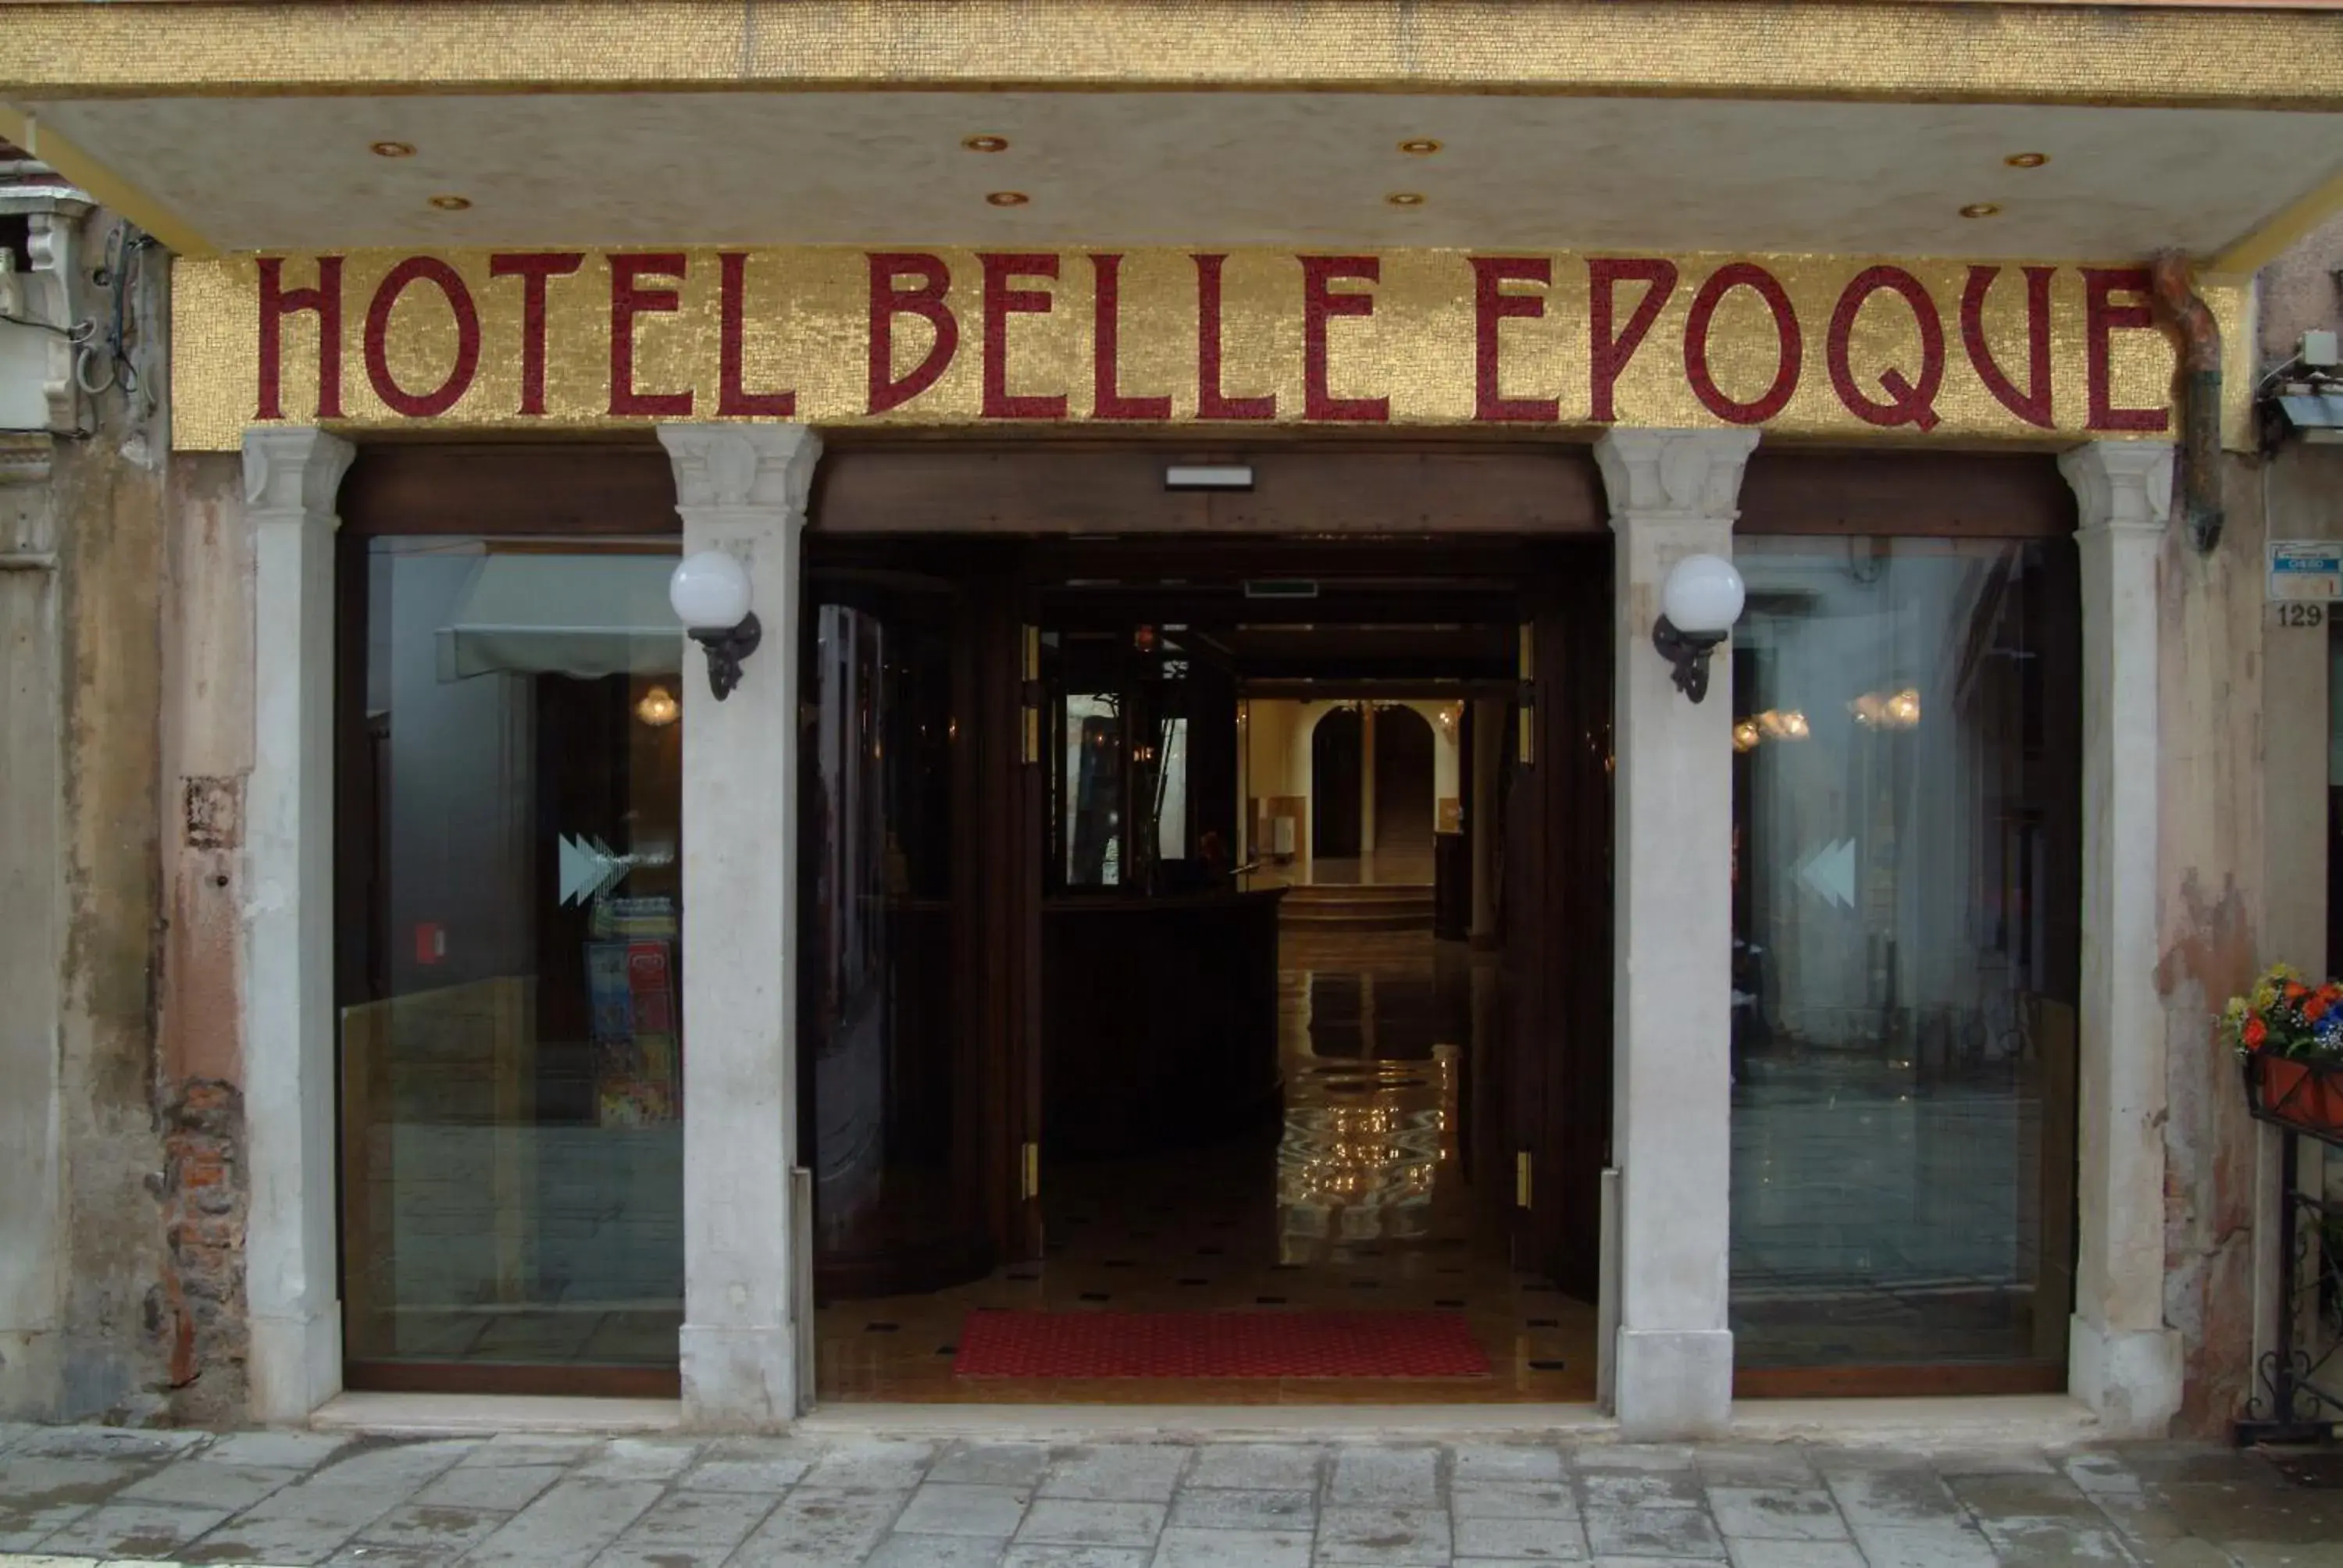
x=289, y=1028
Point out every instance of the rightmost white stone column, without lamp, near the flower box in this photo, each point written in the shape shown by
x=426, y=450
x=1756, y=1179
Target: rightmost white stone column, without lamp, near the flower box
x=2124, y=1363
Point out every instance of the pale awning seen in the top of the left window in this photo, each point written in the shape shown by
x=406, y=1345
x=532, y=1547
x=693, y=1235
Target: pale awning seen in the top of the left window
x=563, y=615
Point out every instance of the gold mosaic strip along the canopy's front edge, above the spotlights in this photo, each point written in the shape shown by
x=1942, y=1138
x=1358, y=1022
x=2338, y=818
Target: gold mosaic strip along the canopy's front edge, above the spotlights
x=1761, y=48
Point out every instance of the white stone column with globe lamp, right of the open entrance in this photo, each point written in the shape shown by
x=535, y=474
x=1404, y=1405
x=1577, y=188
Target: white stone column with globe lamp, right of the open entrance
x=1672, y=496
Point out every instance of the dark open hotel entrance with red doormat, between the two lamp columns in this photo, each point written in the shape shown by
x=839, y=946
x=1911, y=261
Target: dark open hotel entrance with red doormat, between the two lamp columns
x=1180, y=995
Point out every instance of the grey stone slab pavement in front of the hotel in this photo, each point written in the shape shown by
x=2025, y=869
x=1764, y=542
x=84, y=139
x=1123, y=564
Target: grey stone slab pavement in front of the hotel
x=74, y=1497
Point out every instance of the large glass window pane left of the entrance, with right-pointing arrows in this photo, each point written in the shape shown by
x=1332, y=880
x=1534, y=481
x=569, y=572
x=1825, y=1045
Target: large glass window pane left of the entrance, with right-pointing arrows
x=512, y=1030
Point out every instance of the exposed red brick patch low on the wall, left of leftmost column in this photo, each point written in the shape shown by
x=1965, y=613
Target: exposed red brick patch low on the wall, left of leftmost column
x=205, y=1197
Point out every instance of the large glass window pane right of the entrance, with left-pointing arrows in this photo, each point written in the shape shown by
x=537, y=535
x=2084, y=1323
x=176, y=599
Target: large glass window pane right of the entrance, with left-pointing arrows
x=1906, y=904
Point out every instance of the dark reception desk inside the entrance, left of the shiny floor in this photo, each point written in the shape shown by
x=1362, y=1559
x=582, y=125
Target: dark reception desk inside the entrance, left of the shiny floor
x=1159, y=1018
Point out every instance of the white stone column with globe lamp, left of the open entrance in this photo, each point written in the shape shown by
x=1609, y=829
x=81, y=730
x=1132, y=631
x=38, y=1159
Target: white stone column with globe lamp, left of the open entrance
x=742, y=489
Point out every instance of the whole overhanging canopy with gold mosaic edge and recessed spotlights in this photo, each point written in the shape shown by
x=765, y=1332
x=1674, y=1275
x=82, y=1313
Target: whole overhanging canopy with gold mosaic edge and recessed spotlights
x=1726, y=125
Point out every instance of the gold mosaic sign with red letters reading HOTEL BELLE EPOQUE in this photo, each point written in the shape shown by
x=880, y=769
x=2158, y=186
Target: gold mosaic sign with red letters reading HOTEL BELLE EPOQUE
x=1801, y=346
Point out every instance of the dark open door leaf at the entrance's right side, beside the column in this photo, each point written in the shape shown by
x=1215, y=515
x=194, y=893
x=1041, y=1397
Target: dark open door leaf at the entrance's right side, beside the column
x=1557, y=899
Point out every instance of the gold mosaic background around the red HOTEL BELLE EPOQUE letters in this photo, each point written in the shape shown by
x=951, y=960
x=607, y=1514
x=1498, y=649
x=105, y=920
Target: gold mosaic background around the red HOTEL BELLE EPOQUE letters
x=810, y=327
